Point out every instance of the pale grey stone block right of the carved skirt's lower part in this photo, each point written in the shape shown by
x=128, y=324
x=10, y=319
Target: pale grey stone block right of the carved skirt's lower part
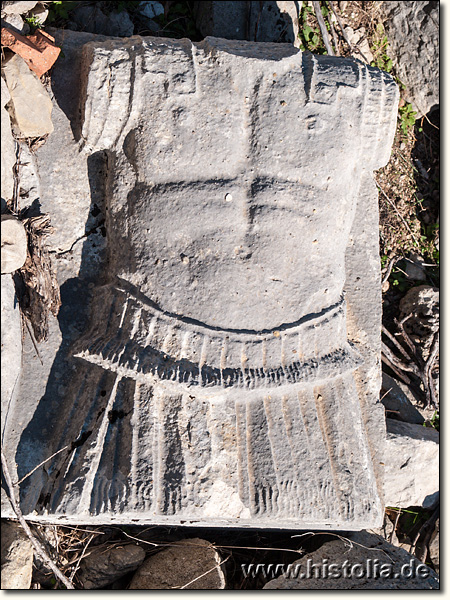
x=412, y=465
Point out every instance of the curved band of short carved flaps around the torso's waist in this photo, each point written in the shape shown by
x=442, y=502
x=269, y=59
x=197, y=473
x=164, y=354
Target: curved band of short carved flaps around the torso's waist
x=134, y=337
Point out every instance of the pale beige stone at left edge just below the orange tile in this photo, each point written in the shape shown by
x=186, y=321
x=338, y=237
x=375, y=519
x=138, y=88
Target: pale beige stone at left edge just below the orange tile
x=30, y=106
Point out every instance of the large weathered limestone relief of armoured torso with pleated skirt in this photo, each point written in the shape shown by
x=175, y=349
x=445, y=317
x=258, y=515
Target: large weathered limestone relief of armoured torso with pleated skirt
x=221, y=381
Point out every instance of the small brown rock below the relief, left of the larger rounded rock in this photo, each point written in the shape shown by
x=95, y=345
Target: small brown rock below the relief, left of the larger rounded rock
x=103, y=567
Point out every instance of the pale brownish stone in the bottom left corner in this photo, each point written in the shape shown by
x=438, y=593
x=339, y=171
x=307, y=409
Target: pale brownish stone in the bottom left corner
x=16, y=557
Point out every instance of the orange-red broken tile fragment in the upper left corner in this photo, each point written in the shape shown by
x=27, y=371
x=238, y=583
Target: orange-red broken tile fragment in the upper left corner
x=37, y=50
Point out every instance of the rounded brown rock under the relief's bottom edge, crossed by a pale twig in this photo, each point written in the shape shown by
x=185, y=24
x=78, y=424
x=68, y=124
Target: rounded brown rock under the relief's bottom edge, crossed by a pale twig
x=184, y=565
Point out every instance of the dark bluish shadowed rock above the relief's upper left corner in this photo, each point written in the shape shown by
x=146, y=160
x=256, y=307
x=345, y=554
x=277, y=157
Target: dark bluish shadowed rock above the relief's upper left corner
x=92, y=19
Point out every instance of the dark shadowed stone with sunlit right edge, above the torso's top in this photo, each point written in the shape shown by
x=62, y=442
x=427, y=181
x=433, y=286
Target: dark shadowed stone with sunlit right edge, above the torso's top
x=255, y=21
